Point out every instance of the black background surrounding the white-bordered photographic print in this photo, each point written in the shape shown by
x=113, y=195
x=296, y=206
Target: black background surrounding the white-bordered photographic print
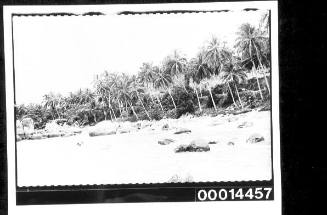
x=302, y=46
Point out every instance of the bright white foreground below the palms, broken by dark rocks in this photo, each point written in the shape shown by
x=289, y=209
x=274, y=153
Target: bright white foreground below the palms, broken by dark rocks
x=138, y=158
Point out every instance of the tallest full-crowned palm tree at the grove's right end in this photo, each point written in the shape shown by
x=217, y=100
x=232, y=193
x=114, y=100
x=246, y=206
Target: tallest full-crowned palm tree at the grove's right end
x=249, y=43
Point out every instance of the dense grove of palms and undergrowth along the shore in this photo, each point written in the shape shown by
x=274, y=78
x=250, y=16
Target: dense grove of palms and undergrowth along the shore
x=216, y=78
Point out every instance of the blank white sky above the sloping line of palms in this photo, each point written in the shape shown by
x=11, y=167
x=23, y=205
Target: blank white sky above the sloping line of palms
x=63, y=54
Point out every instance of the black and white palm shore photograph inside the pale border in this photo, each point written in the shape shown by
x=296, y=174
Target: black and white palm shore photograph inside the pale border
x=150, y=96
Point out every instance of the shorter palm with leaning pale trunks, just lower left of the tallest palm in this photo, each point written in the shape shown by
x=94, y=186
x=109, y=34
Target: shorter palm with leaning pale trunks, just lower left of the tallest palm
x=232, y=73
